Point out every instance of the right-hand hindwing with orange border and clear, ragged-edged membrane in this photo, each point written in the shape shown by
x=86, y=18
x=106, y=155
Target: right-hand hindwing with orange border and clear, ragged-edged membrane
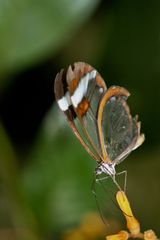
x=120, y=130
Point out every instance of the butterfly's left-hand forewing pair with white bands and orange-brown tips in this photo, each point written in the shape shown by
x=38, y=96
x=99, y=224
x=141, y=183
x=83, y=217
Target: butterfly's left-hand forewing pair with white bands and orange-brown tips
x=82, y=89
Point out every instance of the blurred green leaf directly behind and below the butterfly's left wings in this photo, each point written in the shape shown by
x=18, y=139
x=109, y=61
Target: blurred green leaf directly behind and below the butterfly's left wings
x=58, y=177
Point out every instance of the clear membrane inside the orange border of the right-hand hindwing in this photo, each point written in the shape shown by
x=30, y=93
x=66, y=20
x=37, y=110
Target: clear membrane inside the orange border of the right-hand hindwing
x=119, y=129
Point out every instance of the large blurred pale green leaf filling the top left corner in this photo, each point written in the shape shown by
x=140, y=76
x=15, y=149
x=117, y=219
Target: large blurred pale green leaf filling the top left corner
x=30, y=30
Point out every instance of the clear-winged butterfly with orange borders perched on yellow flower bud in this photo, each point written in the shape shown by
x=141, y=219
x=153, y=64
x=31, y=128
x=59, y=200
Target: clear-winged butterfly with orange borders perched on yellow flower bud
x=99, y=116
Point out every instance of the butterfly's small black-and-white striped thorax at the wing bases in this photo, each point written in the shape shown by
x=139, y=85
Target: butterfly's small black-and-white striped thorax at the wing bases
x=108, y=168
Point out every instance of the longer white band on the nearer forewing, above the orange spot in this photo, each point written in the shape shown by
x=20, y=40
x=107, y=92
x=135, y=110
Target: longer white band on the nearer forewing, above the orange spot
x=81, y=89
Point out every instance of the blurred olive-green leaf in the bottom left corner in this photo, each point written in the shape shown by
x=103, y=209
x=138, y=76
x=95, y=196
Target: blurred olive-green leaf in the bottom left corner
x=14, y=210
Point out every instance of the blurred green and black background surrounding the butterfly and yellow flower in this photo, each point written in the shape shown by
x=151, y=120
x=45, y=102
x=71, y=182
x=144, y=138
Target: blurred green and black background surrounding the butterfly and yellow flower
x=45, y=174
